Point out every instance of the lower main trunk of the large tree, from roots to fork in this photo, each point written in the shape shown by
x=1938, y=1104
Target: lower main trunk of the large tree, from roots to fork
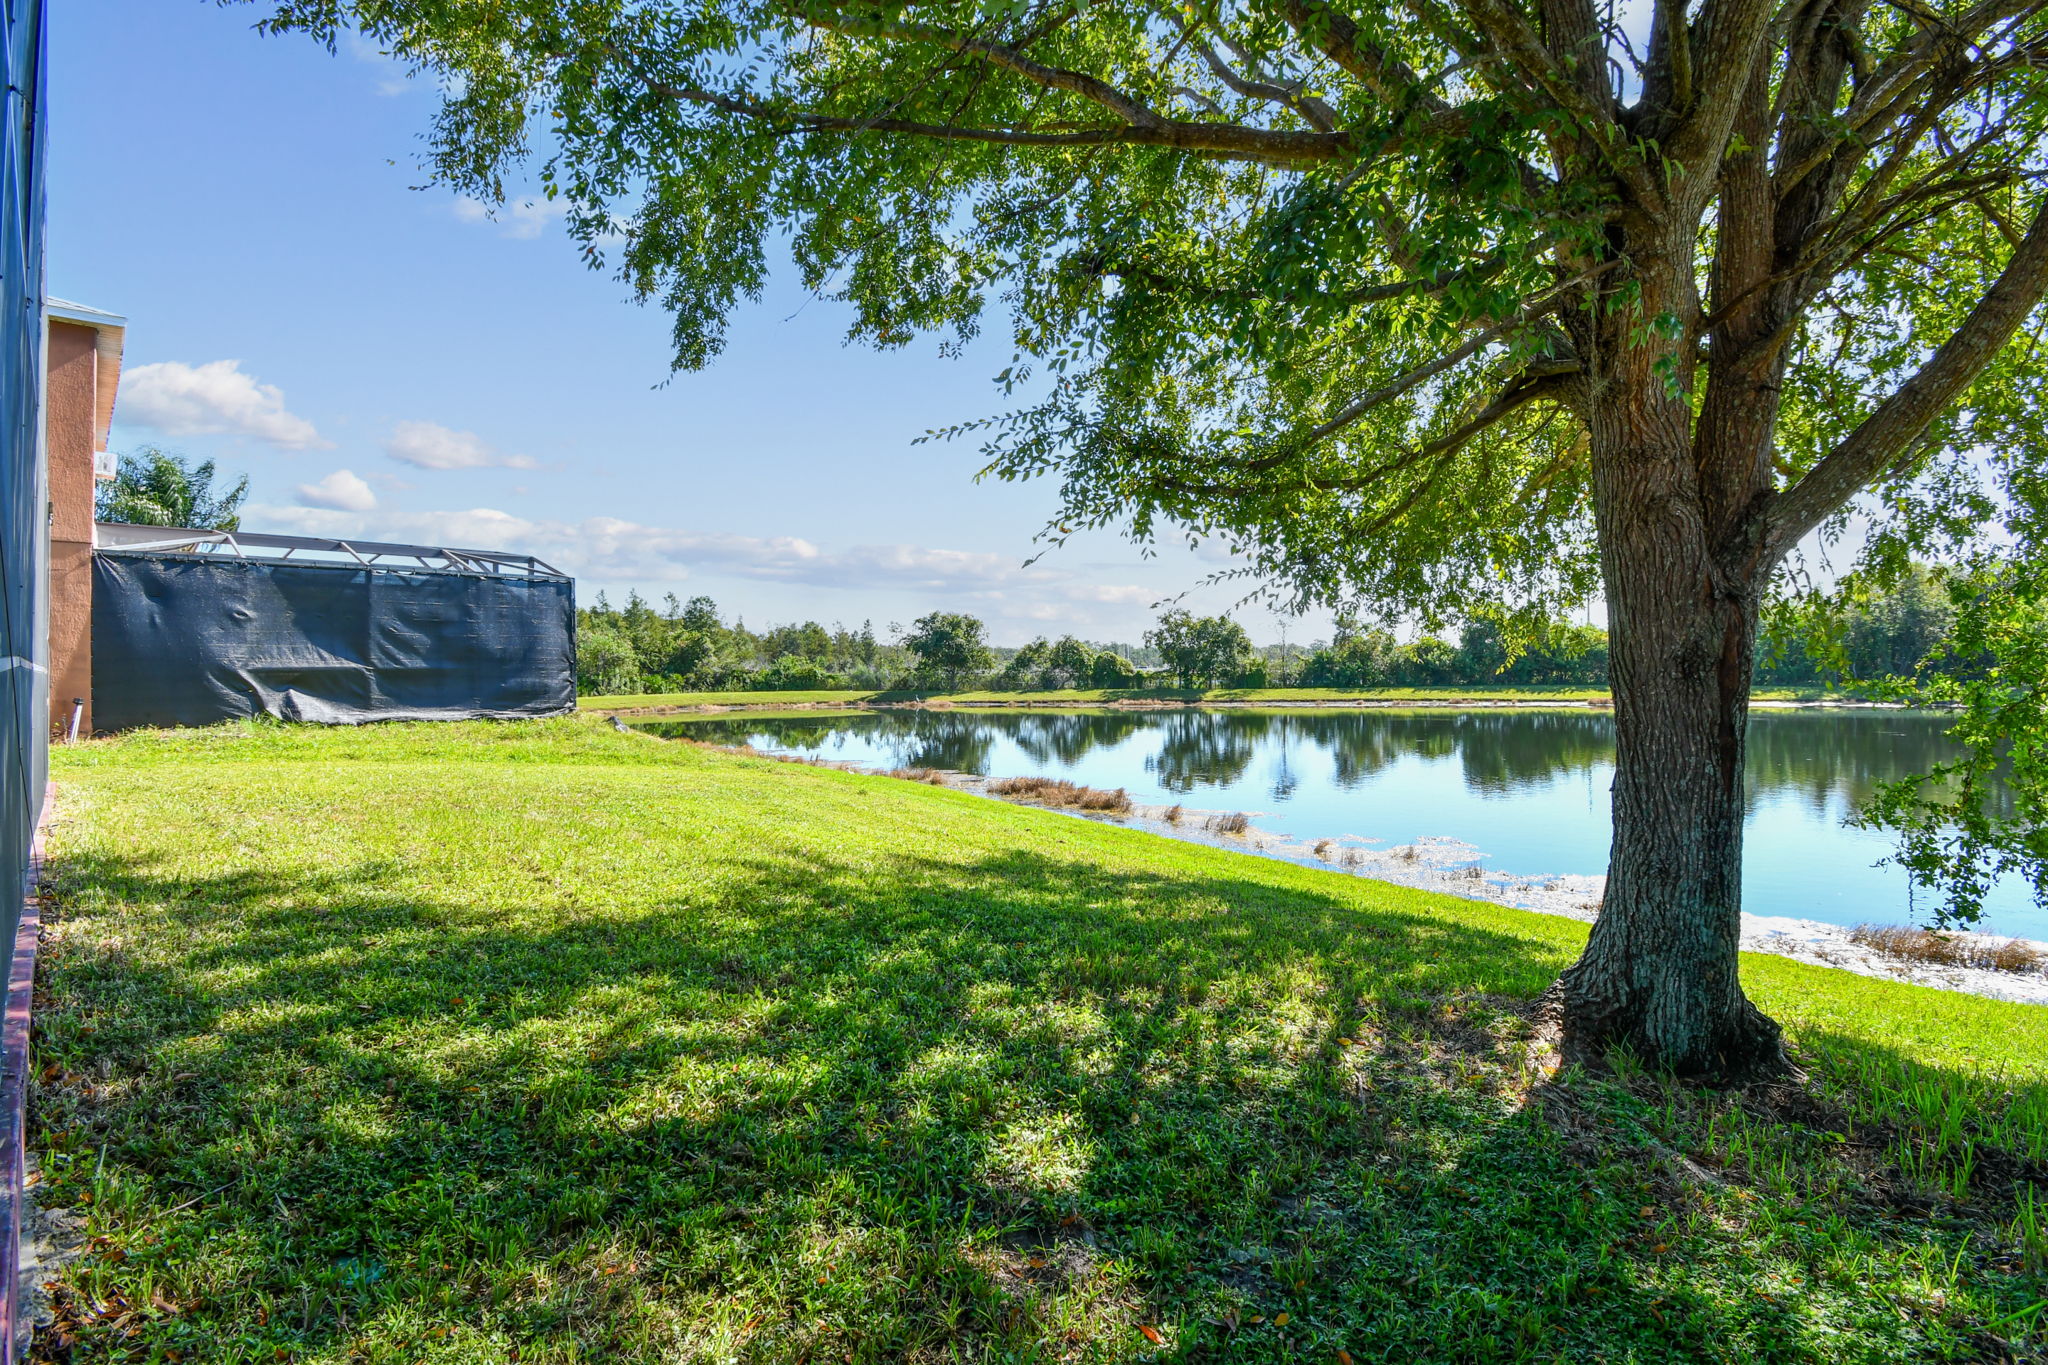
x=1660, y=971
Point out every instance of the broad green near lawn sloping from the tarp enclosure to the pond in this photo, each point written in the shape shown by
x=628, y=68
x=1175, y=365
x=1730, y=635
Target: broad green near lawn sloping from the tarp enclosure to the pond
x=554, y=1045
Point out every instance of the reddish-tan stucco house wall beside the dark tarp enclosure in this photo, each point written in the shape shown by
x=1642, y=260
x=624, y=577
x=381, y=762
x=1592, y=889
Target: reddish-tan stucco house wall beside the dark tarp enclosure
x=73, y=416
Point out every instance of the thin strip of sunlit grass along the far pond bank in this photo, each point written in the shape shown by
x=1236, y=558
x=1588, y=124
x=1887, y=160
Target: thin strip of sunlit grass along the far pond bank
x=1095, y=697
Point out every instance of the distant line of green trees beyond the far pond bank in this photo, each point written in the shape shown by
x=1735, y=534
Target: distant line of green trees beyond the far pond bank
x=691, y=648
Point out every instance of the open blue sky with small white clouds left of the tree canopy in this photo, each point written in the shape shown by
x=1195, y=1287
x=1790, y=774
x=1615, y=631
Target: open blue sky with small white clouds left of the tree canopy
x=392, y=363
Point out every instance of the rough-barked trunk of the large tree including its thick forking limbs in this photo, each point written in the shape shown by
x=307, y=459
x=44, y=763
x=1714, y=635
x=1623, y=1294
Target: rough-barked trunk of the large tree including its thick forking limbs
x=1691, y=533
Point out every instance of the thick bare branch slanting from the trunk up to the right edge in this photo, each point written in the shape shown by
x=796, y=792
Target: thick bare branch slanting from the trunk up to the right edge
x=1891, y=431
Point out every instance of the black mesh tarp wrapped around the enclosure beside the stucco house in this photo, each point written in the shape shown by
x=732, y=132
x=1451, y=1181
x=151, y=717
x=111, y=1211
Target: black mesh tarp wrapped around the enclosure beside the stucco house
x=179, y=640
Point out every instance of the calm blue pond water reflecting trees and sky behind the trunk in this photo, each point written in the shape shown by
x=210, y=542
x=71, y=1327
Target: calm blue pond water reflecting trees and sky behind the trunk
x=1529, y=789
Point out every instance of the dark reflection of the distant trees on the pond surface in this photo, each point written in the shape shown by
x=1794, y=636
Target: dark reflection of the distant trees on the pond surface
x=1830, y=760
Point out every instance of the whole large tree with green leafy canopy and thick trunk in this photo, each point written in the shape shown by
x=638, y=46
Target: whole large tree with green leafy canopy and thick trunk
x=1455, y=308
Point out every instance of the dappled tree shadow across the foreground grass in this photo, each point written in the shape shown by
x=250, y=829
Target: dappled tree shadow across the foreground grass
x=1009, y=1108
